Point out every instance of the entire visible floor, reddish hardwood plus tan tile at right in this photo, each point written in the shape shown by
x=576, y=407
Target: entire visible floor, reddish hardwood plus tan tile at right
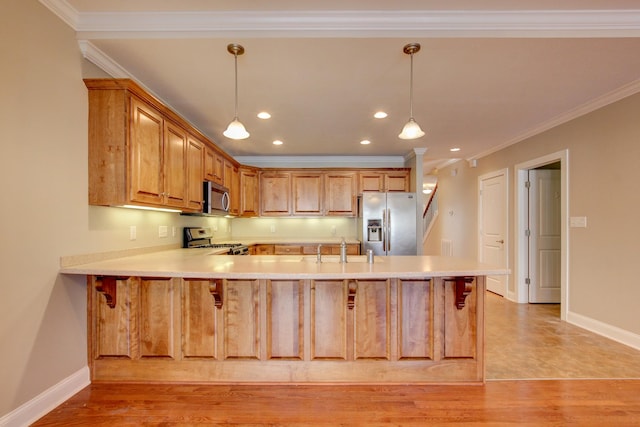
x=523, y=341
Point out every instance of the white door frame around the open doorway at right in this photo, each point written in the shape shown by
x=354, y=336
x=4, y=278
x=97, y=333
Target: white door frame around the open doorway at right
x=521, y=243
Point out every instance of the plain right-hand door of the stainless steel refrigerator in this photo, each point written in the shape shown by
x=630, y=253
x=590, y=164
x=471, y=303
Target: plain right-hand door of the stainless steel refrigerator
x=401, y=236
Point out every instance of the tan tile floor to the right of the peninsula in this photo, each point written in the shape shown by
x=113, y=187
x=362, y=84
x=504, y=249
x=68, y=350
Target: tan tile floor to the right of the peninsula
x=528, y=341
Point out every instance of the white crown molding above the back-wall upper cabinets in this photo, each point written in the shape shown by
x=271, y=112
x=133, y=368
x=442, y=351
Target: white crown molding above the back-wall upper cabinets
x=323, y=161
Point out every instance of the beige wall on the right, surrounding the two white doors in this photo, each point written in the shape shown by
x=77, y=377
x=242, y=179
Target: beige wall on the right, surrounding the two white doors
x=604, y=151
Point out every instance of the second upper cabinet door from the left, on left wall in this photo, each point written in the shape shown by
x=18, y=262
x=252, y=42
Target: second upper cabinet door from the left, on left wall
x=175, y=165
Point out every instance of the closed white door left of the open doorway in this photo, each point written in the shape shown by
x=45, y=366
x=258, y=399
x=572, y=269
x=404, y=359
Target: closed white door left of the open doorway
x=493, y=227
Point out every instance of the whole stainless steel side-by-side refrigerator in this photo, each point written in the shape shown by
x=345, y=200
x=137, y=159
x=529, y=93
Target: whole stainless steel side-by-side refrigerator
x=387, y=223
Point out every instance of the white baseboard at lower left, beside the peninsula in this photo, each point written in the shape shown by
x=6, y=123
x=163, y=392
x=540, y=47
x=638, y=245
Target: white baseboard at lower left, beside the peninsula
x=46, y=401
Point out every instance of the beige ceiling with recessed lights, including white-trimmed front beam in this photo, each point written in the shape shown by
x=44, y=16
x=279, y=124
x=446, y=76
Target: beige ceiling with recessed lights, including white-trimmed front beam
x=489, y=73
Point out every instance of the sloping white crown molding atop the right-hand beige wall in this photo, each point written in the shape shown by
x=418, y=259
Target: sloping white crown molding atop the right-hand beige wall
x=592, y=105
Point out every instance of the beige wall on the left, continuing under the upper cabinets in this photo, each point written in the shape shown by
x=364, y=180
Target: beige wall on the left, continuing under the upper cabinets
x=45, y=213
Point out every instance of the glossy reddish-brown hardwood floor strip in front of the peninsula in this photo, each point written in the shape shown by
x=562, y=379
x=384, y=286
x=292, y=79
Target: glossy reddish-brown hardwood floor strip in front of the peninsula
x=521, y=403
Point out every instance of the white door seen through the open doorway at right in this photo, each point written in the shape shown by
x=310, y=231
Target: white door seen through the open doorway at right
x=544, y=236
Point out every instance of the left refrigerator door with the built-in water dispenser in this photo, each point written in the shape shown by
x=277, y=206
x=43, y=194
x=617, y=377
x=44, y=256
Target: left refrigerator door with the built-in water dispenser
x=372, y=228
